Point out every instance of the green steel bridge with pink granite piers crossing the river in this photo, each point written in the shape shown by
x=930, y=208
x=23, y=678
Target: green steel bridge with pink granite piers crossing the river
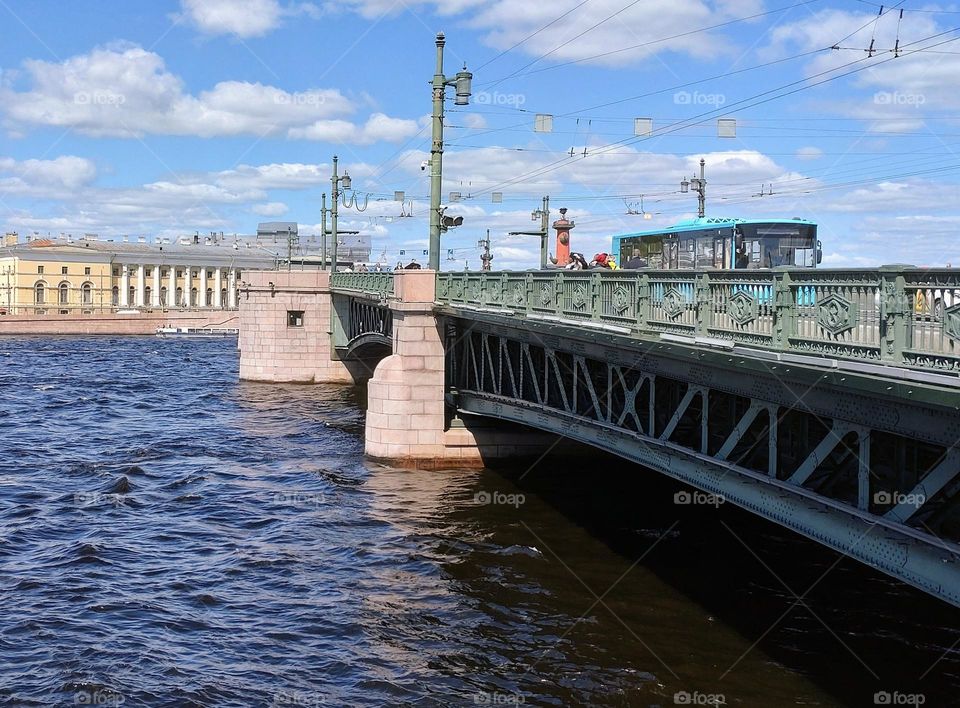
x=827, y=401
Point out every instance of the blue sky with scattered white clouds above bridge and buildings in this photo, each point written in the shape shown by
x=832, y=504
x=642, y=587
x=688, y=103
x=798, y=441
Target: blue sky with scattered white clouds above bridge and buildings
x=165, y=118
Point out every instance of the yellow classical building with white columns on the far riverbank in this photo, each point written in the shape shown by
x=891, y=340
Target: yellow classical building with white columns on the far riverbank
x=87, y=275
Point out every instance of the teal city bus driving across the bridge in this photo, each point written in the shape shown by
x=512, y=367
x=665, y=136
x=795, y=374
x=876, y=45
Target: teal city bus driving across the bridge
x=719, y=244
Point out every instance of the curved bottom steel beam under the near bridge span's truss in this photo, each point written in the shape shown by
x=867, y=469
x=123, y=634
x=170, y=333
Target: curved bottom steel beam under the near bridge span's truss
x=921, y=560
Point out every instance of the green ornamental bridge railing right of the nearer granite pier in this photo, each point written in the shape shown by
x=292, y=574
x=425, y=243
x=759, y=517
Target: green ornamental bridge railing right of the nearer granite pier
x=900, y=316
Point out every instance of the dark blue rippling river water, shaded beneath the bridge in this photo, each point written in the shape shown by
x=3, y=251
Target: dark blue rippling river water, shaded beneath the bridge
x=172, y=537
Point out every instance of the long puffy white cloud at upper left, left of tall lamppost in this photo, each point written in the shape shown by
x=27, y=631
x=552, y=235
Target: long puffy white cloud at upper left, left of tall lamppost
x=126, y=91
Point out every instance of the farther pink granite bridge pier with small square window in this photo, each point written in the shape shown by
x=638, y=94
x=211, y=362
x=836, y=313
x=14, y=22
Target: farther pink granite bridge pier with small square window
x=285, y=328
